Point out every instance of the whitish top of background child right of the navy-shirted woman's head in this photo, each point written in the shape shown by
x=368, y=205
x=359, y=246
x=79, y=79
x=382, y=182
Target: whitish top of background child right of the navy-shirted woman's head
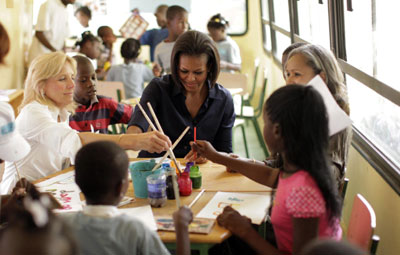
x=229, y=51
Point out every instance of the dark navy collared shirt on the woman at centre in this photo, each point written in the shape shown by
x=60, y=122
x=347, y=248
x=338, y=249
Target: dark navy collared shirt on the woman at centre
x=214, y=121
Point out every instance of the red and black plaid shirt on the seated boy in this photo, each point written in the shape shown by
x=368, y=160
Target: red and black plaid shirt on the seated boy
x=99, y=114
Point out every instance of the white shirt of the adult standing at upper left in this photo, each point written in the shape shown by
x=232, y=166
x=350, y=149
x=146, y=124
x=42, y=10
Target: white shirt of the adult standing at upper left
x=53, y=21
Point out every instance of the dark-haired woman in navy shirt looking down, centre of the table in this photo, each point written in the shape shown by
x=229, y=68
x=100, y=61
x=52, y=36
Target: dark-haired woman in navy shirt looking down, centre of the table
x=189, y=96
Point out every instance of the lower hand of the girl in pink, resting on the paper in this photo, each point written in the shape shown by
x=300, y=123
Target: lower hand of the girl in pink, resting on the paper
x=234, y=222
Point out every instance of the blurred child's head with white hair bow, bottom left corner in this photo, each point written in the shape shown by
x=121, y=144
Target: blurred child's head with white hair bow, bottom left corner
x=33, y=229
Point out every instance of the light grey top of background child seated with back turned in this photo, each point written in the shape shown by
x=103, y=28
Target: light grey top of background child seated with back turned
x=132, y=76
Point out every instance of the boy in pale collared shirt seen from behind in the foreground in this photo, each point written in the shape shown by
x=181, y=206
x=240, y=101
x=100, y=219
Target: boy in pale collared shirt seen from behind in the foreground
x=101, y=172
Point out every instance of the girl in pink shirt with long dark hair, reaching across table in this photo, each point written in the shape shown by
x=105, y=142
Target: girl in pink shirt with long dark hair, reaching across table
x=307, y=204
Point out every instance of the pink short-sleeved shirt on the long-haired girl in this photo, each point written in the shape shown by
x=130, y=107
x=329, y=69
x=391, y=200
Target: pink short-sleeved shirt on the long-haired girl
x=298, y=196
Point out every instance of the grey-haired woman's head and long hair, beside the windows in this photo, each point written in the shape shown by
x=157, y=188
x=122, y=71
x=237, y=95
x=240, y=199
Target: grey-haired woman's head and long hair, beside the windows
x=307, y=61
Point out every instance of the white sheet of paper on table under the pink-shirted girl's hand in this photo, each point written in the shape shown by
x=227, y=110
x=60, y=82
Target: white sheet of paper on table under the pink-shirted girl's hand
x=251, y=205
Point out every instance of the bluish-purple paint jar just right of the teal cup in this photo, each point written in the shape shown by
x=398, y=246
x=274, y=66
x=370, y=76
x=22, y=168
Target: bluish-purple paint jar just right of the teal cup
x=156, y=188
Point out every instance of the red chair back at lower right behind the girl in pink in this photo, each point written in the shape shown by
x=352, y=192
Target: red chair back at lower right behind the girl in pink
x=362, y=224
